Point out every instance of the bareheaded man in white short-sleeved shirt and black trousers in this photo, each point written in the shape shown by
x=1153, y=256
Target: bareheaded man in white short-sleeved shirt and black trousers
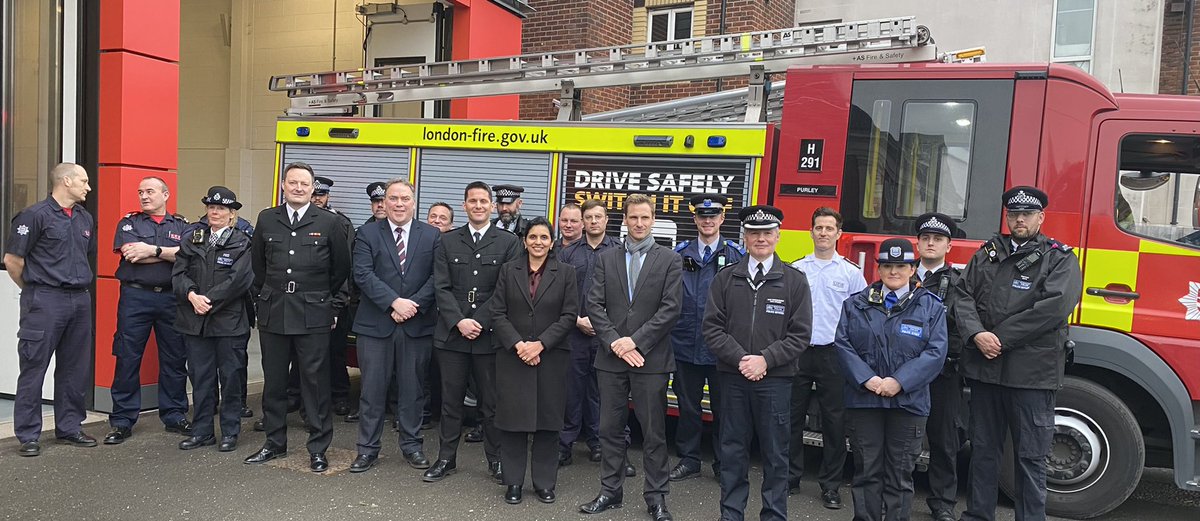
x=832, y=280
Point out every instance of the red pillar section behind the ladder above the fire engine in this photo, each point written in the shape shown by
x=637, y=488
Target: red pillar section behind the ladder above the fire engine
x=483, y=29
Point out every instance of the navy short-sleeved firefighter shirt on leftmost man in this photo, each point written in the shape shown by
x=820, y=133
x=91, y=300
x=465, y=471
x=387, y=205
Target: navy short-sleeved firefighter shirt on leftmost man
x=55, y=242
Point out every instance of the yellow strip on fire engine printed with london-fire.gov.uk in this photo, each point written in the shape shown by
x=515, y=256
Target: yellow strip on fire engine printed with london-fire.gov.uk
x=741, y=140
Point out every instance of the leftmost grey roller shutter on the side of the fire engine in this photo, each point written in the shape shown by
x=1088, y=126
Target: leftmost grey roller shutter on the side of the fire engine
x=351, y=169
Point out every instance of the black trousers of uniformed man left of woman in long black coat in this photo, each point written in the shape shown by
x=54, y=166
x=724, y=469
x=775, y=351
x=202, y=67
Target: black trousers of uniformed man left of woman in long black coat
x=455, y=369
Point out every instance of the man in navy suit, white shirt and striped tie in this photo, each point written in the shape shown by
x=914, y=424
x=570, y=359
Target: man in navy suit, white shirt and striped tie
x=394, y=272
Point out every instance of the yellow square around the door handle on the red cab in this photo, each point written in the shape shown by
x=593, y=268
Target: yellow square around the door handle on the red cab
x=1106, y=267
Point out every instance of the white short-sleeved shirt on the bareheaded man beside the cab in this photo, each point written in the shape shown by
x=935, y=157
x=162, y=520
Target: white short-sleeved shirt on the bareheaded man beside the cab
x=832, y=283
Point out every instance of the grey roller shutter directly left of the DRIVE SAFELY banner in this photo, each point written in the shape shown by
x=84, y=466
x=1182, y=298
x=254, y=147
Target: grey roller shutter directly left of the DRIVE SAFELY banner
x=443, y=175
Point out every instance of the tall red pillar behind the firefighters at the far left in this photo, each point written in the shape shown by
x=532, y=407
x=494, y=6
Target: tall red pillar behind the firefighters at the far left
x=139, y=137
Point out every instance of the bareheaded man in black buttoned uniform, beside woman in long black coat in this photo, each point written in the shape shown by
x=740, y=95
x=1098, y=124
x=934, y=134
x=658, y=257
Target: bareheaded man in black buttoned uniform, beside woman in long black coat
x=465, y=273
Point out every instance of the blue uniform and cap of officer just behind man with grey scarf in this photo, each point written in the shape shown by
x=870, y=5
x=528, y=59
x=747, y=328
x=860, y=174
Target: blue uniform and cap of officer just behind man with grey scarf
x=695, y=364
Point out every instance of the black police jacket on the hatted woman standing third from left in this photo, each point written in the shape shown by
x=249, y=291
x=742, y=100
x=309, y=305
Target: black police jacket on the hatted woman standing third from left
x=224, y=274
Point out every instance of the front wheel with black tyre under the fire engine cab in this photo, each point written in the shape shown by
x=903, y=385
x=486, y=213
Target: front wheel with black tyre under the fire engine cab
x=1096, y=457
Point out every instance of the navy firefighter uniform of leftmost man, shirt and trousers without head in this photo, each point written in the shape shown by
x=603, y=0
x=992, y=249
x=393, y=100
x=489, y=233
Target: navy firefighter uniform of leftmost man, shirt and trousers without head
x=56, y=318
